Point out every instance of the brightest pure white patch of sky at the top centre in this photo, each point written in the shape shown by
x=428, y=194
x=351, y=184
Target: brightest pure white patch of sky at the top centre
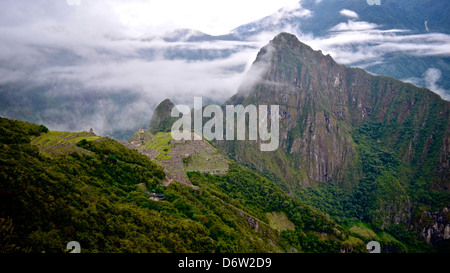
x=212, y=17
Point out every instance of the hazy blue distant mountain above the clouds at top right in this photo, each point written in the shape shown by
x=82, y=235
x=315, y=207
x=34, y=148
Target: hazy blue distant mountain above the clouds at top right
x=318, y=17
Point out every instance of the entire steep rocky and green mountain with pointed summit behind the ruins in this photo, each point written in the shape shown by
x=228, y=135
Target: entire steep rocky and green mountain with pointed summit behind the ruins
x=356, y=146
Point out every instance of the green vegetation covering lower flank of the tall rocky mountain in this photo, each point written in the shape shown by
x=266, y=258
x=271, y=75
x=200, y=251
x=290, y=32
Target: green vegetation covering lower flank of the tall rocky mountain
x=387, y=181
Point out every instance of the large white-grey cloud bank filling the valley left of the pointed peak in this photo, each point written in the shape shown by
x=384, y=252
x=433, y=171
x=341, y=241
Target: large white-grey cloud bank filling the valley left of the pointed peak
x=100, y=75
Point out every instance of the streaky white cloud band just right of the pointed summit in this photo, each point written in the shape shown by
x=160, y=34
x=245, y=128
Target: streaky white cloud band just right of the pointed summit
x=355, y=42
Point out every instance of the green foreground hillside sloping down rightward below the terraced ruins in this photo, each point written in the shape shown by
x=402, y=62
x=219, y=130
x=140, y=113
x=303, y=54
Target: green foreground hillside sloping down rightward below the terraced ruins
x=98, y=195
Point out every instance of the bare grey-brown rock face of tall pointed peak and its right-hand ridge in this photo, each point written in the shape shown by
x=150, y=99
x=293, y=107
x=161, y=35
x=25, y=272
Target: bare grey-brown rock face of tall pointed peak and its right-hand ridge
x=322, y=103
